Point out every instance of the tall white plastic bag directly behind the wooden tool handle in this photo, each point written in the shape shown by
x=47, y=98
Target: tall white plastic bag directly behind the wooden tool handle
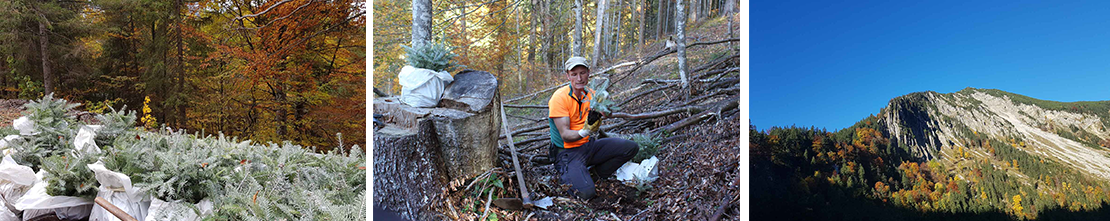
x=117, y=189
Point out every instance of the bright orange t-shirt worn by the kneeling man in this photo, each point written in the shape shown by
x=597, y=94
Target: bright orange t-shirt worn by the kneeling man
x=563, y=104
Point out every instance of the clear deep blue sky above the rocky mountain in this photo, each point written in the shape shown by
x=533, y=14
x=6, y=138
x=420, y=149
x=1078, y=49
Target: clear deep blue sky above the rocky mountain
x=831, y=65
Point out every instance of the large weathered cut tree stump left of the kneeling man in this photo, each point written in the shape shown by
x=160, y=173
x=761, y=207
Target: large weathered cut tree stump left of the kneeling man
x=421, y=149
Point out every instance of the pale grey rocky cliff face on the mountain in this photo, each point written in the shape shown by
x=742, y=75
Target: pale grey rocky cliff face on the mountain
x=932, y=125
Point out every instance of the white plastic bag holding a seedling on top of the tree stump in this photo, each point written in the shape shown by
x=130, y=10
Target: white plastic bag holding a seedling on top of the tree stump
x=422, y=88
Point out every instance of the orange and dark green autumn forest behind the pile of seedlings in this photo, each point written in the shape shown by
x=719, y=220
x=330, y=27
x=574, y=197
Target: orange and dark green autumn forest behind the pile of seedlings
x=266, y=71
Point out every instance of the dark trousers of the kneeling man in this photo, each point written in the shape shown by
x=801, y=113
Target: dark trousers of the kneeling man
x=604, y=155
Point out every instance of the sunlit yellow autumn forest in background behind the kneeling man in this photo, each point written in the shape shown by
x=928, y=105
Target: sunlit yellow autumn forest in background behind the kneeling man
x=524, y=43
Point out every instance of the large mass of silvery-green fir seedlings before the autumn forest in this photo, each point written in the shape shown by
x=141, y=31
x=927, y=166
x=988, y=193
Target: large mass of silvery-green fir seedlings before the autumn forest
x=194, y=176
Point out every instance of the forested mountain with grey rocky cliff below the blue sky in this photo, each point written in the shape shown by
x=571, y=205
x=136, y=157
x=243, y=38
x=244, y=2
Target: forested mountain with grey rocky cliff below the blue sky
x=981, y=153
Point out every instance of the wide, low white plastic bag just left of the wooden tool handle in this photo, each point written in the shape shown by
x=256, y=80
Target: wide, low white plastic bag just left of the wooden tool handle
x=37, y=203
